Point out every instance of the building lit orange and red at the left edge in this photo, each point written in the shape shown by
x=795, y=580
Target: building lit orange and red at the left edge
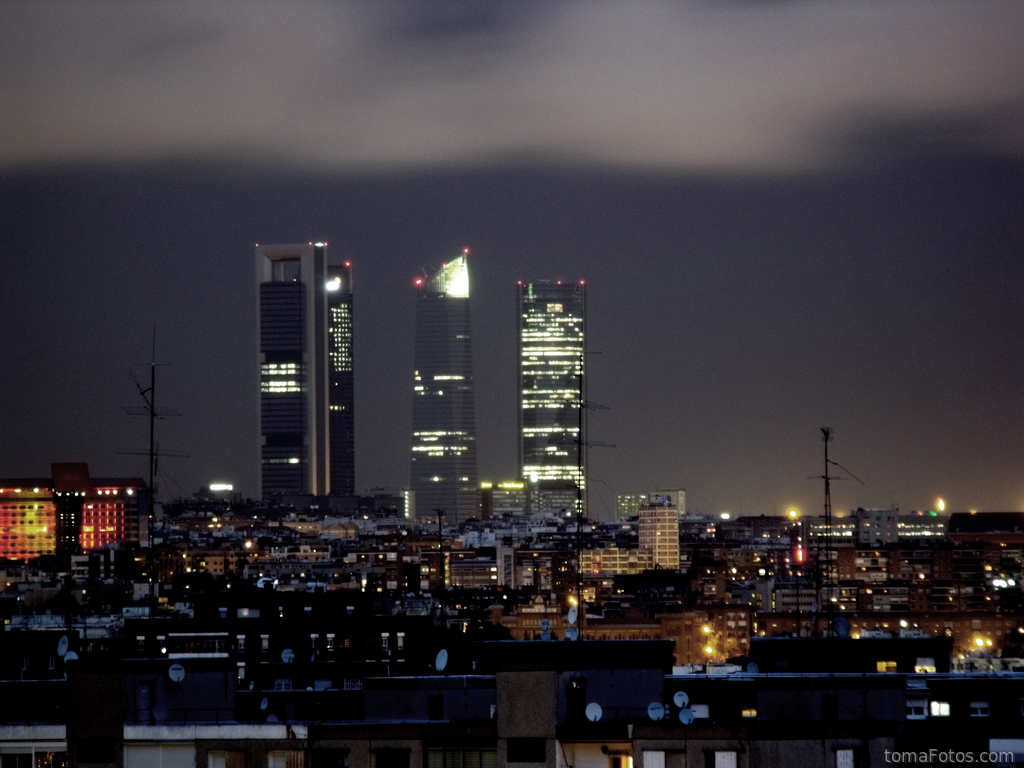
x=67, y=514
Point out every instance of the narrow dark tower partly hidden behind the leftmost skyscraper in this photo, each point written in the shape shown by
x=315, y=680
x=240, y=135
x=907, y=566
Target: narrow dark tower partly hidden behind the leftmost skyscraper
x=343, y=397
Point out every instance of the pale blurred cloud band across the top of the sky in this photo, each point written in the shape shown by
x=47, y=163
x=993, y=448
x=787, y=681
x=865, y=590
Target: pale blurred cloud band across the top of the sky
x=370, y=87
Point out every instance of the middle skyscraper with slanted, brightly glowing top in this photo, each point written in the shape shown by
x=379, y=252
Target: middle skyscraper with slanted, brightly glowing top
x=444, y=466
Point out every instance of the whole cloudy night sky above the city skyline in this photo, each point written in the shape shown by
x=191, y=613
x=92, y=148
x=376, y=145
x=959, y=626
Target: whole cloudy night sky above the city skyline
x=790, y=216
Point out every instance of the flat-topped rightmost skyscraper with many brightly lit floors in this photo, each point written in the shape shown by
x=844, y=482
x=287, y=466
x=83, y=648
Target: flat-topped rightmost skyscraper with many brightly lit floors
x=552, y=382
